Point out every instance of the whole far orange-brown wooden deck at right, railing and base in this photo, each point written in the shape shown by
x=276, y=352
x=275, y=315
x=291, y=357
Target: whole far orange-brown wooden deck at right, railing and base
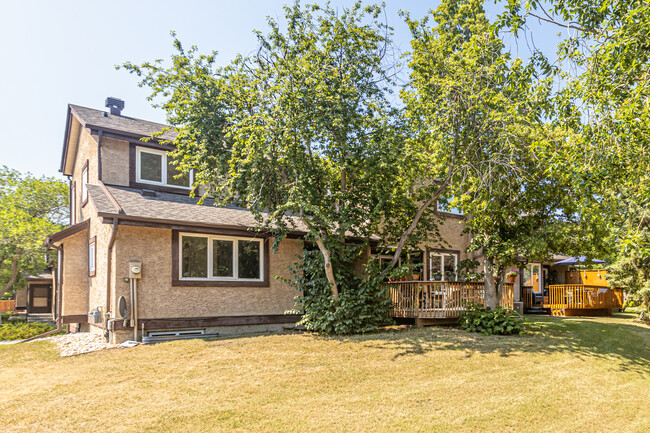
x=581, y=299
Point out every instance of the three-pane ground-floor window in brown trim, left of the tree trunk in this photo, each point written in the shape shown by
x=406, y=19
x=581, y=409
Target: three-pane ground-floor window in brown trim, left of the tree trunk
x=220, y=258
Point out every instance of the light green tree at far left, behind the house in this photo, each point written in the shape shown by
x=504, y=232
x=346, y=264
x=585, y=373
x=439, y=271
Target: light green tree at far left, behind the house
x=30, y=209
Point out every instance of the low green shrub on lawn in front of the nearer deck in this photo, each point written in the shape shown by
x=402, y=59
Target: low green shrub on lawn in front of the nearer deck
x=491, y=322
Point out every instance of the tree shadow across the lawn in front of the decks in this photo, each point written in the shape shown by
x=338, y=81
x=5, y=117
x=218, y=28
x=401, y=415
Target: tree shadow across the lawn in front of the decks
x=615, y=339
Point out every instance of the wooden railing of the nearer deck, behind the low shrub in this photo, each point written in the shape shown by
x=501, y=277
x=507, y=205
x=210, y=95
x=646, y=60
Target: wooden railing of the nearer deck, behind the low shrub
x=440, y=299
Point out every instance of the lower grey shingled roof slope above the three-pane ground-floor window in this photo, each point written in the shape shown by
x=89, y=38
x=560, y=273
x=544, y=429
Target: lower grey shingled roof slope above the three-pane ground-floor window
x=170, y=208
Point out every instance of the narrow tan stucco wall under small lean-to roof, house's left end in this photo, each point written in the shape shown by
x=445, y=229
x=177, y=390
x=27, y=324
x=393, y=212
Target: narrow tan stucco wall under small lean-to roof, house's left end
x=75, y=275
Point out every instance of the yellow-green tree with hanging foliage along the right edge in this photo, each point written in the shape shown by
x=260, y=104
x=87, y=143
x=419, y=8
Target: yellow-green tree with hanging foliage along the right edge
x=603, y=112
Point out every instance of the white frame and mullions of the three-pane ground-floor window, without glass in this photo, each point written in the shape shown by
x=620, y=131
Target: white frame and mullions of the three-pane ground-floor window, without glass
x=210, y=258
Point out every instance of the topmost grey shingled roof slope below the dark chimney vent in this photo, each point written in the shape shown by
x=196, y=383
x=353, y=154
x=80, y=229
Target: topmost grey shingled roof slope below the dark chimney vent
x=90, y=117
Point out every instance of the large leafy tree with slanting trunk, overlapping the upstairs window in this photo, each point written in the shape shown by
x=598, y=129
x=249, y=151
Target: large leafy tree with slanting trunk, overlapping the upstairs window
x=300, y=132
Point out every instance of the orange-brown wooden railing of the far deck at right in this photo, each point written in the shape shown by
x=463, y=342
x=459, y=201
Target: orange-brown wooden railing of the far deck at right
x=579, y=296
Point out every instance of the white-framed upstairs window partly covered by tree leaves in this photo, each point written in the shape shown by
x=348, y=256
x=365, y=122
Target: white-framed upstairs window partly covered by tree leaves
x=154, y=167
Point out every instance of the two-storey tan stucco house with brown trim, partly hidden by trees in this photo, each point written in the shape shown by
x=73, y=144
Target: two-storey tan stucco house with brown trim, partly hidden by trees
x=135, y=233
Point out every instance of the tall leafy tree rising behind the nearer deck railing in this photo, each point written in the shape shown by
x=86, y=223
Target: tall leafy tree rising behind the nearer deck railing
x=477, y=116
